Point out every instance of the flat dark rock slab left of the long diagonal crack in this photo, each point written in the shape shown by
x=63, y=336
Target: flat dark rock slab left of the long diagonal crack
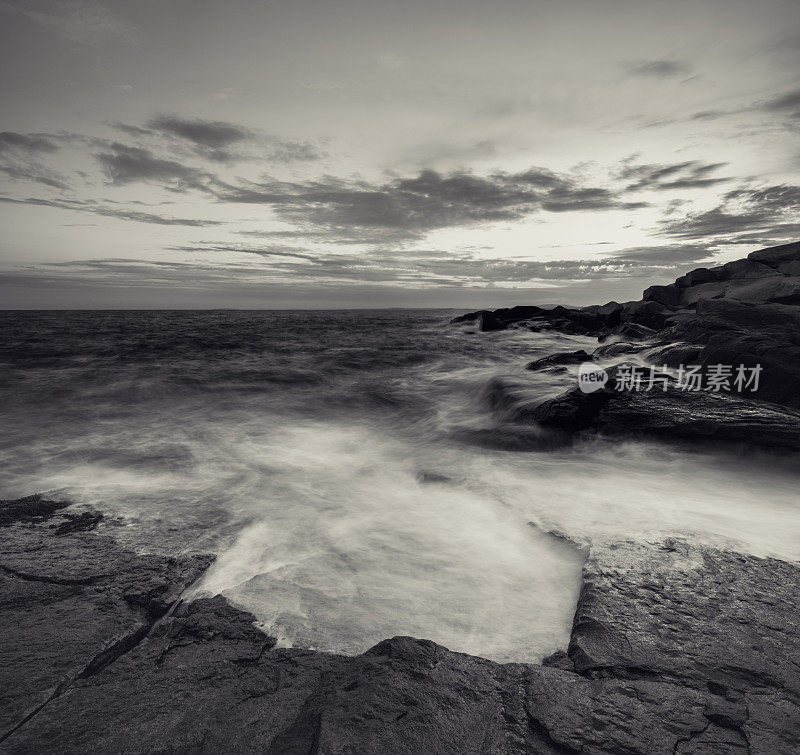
x=71, y=602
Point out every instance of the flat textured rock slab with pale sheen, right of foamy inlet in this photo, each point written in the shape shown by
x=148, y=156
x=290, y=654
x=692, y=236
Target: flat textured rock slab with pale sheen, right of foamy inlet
x=701, y=618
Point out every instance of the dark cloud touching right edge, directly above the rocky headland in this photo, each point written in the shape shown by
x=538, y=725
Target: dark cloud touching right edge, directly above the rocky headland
x=745, y=214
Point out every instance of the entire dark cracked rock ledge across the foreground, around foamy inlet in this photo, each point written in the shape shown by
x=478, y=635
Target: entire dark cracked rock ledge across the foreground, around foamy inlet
x=675, y=648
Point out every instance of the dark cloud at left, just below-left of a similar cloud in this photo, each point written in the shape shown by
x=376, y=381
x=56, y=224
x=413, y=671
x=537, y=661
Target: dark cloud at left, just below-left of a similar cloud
x=124, y=164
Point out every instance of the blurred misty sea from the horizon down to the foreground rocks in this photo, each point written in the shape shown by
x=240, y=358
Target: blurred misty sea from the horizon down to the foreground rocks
x=350, y=472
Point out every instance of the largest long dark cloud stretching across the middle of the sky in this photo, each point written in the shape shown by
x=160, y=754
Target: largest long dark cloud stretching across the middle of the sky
x=408, y=207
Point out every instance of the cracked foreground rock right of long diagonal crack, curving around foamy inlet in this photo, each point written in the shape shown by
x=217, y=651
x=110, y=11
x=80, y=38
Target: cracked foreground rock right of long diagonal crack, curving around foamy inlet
x=674, y=649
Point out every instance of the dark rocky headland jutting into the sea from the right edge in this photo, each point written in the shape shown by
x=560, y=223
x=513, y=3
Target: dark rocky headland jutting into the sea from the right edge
x=744, y=313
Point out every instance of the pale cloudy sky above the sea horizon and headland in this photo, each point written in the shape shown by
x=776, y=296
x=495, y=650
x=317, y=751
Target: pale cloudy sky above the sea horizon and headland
x=365, y=153
